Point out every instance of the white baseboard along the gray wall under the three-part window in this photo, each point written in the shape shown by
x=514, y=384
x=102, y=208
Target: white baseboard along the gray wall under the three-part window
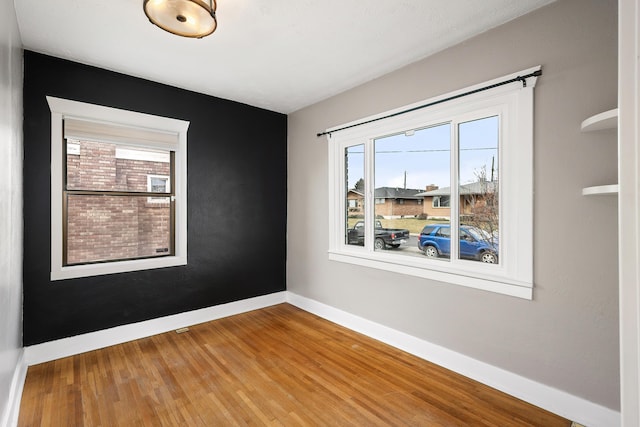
x=557, y=401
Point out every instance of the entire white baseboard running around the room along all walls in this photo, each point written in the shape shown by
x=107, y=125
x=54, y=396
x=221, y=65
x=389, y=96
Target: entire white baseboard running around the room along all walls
x=543, y=396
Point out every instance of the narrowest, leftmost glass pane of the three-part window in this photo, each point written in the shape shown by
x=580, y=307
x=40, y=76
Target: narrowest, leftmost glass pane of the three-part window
x=354, y=170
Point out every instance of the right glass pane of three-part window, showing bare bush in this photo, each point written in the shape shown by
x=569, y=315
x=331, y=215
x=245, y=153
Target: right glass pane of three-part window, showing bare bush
x=479, y=191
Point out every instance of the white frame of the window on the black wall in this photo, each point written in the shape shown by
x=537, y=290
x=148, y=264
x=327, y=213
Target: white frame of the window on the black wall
x=63, y=108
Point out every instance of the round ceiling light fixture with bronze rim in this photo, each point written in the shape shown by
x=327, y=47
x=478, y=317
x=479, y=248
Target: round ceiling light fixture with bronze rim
x=186, y=18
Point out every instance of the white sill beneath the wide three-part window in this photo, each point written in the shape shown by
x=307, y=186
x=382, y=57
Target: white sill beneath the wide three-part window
x=469, y=279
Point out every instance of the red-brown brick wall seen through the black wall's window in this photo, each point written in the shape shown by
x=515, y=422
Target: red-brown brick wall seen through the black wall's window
x=114, y=227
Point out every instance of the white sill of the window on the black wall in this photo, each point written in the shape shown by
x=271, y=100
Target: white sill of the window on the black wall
x=89, y=270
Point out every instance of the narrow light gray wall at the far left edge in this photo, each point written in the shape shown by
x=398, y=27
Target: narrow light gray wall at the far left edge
x=10, y=200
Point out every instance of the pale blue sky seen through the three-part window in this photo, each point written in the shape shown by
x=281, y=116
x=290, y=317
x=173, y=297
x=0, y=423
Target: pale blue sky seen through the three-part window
x=424, y=155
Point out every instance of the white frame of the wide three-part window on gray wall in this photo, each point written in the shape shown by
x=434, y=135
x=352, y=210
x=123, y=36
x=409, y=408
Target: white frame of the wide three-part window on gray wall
x=513, y=102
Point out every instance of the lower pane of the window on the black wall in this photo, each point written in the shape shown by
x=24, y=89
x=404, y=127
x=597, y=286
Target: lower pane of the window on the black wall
x=107, y=228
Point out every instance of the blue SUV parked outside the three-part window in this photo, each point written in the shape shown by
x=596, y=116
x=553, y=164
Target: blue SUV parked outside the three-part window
x=475, y=243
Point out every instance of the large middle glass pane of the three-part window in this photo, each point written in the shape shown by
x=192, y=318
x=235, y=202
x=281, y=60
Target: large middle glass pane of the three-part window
x=411, y=169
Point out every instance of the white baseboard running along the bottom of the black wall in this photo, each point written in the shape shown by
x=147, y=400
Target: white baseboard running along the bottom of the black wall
x=53, y=350
